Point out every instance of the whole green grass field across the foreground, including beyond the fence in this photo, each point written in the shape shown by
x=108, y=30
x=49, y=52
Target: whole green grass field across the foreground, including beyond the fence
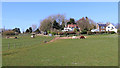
x=95, y=50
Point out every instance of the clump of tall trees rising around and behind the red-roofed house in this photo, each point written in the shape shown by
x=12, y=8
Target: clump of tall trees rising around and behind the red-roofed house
x=58, y=22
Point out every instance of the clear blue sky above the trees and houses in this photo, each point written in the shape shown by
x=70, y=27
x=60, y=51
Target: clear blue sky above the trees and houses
x=24, y=14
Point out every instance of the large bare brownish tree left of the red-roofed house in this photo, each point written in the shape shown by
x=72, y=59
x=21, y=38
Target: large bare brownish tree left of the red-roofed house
x=47, y=23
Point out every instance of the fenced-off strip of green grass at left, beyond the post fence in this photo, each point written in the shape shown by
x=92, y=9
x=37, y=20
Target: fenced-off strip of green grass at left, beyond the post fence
x=23, y=41
